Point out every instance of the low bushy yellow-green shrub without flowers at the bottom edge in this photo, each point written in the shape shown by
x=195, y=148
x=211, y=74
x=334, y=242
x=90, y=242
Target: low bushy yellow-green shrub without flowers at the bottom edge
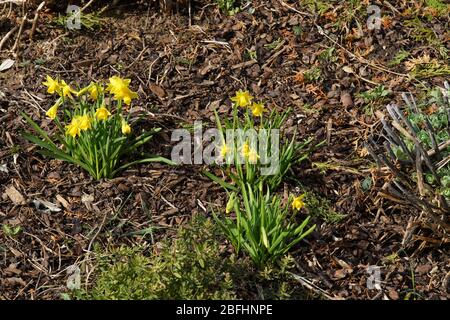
x=190, y=266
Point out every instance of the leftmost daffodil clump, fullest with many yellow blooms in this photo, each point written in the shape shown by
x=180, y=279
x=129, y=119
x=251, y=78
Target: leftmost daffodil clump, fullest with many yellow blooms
x=93, y=129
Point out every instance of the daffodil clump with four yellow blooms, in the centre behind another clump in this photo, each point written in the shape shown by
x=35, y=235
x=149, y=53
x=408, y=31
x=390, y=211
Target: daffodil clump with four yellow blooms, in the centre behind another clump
x=242, y=156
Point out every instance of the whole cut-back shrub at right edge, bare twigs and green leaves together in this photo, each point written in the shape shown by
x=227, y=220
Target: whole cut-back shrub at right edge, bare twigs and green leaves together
x=417, y=152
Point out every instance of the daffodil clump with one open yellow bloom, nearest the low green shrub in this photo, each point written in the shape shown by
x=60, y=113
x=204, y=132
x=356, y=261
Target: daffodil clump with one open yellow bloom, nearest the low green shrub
x=263, y=228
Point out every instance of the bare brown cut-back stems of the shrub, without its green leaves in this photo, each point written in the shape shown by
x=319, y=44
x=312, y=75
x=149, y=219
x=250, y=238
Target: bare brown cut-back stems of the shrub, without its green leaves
x=406, y=186
